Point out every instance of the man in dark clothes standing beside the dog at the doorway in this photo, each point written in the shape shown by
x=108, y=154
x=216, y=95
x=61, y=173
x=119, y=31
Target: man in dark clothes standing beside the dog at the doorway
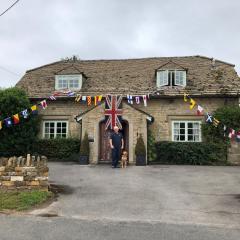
x=116, y=143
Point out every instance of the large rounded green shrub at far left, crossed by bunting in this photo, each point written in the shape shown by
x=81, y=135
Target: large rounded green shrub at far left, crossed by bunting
x=18, y=139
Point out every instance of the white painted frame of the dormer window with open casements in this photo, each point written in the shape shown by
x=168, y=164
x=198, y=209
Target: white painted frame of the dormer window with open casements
x=163, y=80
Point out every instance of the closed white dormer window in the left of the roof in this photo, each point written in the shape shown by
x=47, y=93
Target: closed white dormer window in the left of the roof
x=68, y=81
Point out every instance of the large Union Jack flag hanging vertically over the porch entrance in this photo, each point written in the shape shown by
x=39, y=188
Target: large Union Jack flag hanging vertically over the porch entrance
x=113, y=111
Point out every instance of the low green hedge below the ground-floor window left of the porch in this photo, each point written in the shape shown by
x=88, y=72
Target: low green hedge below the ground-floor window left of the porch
x=58, y=149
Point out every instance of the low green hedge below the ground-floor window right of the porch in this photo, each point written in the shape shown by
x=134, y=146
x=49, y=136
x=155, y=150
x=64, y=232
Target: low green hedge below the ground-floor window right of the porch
x=191, y=153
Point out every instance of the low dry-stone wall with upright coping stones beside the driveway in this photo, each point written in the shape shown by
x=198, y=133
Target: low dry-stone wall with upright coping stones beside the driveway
x=19, y=173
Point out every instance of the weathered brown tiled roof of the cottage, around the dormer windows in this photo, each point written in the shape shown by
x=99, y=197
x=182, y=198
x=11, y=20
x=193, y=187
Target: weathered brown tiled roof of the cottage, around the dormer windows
x=205, y=76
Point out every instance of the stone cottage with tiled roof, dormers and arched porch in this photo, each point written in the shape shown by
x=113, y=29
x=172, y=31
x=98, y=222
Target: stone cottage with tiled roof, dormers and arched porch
x=212, y=83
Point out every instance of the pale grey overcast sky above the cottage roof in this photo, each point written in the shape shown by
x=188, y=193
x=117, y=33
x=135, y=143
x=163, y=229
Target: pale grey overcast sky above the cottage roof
x=37, y=32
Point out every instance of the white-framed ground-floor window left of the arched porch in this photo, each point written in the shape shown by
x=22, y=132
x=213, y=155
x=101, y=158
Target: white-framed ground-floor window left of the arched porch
x=55, y=129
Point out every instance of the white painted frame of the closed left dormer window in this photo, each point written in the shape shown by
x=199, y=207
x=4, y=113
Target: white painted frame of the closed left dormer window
x=68, y=78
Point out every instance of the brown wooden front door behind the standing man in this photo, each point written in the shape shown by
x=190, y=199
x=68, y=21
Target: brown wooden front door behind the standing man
x=105, y=153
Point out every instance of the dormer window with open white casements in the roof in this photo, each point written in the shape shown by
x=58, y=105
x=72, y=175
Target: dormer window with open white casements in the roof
x=171, y=78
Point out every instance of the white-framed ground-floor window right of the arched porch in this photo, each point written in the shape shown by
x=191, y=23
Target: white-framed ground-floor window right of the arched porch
x=186, y=131
